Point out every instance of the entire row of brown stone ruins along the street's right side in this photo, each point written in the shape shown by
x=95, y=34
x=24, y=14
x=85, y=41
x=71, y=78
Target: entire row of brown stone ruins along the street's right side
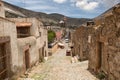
x=102, y=40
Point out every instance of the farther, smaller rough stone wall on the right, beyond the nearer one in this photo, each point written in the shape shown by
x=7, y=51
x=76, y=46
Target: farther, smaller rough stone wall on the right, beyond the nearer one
x=81, y=39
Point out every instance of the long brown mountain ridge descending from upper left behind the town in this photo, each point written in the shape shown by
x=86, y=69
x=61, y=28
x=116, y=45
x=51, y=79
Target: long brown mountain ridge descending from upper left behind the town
x=13, y=11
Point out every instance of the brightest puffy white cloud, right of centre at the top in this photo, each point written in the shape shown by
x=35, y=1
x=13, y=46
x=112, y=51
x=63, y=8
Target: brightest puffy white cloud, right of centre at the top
x=86, y=5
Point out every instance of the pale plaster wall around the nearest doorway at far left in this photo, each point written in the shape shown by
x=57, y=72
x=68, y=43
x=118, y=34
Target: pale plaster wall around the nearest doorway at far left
x=8, y=28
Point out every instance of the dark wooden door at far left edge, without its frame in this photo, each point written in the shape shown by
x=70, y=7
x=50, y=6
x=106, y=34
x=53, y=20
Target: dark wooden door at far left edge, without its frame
x=4, y=62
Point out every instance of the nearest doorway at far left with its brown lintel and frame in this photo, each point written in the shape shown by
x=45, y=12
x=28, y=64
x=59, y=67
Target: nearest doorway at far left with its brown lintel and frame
x=4, y=58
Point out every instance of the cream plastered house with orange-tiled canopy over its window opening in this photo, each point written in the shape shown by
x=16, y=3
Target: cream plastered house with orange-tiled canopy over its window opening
x=32, y=41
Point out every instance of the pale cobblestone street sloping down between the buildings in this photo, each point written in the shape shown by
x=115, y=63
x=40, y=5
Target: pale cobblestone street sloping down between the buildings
x=59, y=67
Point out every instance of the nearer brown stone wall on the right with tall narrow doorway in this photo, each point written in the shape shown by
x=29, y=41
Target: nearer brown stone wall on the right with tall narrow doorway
x=105, y=46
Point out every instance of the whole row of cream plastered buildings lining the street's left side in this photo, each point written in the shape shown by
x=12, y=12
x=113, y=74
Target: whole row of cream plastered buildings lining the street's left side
x=23, y=43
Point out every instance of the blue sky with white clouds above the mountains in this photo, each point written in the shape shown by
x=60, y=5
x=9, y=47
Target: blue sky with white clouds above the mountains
x=71, y=8
